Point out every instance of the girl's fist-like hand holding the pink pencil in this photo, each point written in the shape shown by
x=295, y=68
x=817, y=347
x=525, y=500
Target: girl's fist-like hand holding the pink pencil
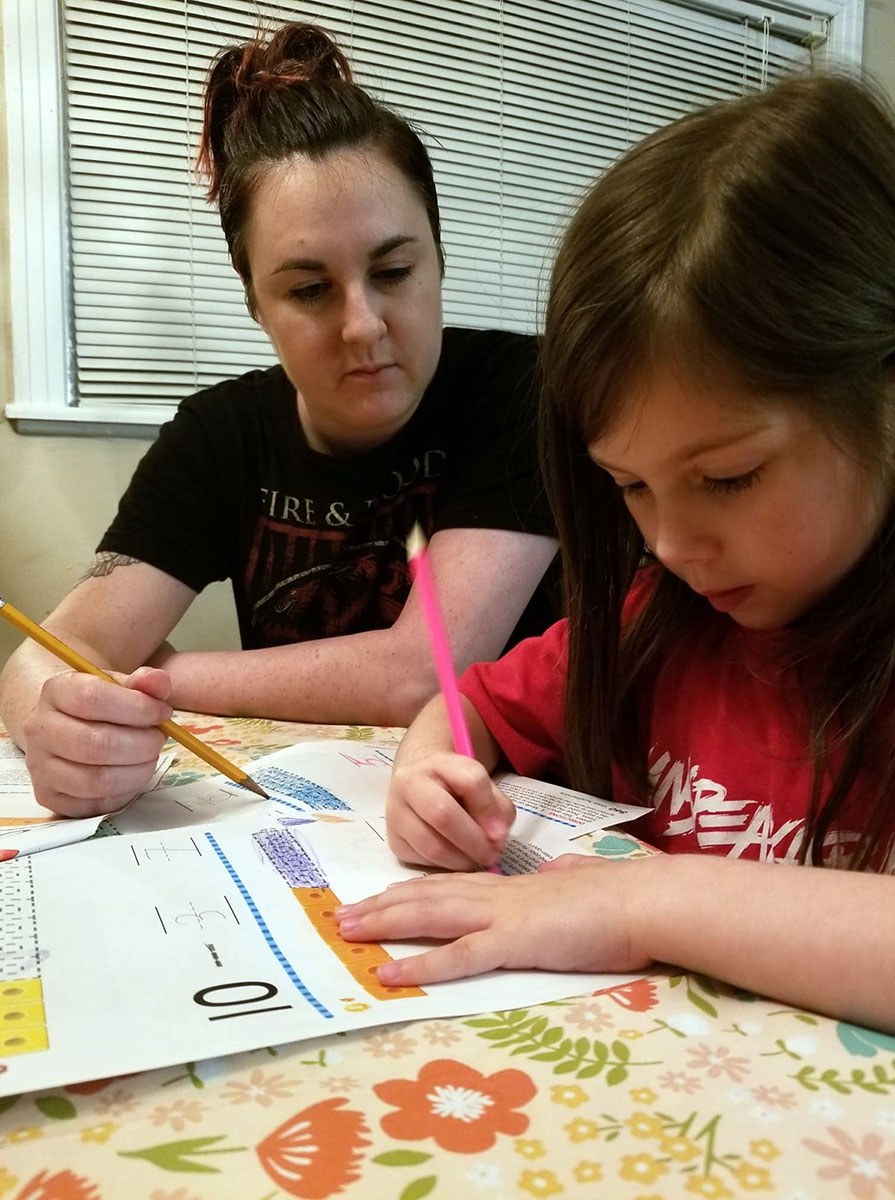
x=445, y=811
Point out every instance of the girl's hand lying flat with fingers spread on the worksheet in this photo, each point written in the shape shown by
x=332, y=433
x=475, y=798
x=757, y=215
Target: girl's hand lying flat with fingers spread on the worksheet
x=582, y=915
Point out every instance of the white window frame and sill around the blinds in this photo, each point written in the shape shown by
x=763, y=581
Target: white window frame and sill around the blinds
x=40, y=286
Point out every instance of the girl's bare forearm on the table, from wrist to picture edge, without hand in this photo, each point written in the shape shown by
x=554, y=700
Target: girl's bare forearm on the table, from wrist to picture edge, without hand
x=812, y=937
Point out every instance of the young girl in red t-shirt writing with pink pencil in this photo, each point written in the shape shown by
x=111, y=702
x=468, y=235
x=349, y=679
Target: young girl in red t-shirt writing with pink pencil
x=719, y=437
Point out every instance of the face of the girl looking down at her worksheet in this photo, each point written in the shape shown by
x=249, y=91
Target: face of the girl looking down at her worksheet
x=754, y=507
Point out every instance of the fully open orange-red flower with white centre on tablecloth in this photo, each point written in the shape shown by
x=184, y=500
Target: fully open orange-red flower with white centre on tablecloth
x=456, y=1106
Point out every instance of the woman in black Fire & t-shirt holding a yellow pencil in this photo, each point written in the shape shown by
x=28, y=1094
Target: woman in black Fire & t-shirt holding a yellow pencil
x=301, y=483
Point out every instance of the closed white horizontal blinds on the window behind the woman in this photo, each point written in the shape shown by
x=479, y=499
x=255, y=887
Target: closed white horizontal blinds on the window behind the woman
x=522, y=104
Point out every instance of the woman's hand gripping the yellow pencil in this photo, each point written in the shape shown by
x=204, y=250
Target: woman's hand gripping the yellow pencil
x=91, y=746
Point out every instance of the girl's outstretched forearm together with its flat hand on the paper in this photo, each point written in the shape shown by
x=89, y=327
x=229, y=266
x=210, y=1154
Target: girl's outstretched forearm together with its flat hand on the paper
x=808, y=937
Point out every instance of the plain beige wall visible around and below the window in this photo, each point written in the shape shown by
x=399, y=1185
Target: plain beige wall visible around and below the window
x=57, y=495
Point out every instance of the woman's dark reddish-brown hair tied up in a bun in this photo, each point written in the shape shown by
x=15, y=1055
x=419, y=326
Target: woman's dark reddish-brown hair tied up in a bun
x=290, y=94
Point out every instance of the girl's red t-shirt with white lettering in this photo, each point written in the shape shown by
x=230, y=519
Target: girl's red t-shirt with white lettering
x=728, y=740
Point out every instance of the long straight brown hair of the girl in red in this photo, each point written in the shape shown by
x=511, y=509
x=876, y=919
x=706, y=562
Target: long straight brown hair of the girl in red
x=754, y=239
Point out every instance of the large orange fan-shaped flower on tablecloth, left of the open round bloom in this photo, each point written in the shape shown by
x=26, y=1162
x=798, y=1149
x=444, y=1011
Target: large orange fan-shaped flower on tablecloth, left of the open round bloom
x=317, y=1153
